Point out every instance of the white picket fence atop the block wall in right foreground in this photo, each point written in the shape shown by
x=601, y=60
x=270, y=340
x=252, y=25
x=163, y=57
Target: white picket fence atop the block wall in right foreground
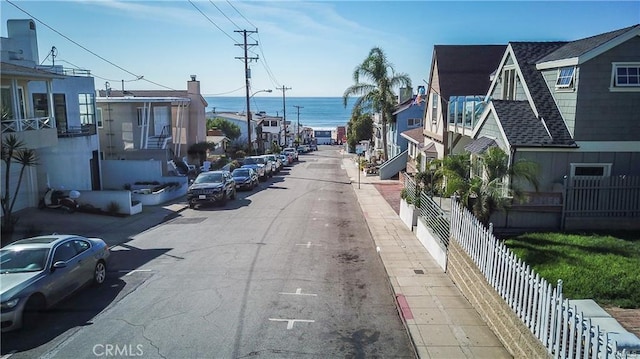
x=543, y=309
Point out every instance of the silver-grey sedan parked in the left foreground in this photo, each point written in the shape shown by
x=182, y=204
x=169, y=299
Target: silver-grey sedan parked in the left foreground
x=39, y=272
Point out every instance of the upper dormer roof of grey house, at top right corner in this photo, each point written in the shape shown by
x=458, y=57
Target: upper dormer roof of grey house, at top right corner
x=574, y=50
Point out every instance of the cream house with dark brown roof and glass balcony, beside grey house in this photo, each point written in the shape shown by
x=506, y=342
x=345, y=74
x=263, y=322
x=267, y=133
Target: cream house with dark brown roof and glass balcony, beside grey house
x=460, y=77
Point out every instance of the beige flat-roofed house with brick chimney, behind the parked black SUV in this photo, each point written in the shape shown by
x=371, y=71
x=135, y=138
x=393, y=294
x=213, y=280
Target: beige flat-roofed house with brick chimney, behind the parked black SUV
x=151, y=124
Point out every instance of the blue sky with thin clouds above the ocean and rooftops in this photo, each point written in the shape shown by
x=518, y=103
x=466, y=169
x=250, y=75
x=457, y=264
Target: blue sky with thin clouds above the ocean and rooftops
x=310, y=46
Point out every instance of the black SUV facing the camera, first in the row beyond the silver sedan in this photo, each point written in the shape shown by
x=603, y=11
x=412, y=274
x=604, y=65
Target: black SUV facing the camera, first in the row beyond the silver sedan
x=211, y=187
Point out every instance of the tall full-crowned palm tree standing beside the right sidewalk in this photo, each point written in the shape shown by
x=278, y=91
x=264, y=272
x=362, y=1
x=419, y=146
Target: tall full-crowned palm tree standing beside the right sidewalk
x=376, y=94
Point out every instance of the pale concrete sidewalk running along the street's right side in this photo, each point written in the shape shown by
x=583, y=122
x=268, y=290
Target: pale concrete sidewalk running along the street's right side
x=440, y=320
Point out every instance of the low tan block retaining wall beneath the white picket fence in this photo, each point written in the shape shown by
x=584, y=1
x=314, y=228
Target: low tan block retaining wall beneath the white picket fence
x=513, y=334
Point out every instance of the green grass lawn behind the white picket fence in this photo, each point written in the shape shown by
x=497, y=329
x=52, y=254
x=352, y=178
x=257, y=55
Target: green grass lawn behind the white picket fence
x=605, y=268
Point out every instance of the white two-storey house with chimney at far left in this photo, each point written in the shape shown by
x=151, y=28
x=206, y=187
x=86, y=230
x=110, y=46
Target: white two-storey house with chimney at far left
x=52, y=110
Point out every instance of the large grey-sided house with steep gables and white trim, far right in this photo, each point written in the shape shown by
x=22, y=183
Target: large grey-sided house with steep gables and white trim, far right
x=572, y=107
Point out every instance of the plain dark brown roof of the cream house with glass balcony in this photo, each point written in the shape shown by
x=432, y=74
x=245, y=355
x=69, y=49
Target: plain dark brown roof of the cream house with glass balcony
x=465, y=70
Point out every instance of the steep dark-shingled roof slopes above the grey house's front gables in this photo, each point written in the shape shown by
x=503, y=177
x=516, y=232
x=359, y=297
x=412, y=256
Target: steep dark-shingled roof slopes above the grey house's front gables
x=551, y=121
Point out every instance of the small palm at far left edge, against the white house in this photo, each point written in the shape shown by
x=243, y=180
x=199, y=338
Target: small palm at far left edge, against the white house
x=13, y=150
